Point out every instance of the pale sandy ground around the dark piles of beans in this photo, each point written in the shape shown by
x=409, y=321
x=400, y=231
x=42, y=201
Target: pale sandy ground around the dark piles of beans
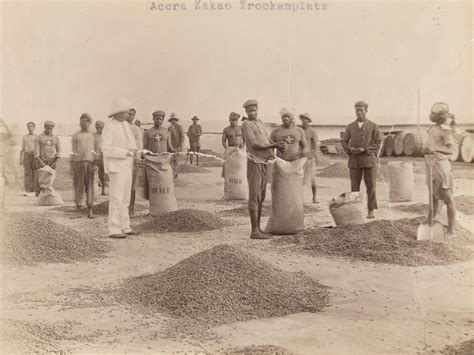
x=374, y=308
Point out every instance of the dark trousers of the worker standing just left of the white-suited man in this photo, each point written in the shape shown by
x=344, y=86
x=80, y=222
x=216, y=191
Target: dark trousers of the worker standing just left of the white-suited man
x=83, y=182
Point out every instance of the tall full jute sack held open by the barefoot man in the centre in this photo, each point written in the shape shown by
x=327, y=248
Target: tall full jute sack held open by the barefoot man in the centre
x=287, y=215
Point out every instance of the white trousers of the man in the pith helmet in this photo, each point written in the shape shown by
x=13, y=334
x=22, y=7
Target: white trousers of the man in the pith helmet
x=120, y=187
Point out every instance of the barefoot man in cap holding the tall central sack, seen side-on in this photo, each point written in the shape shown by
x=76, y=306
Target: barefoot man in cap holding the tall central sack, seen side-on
x=259, y=152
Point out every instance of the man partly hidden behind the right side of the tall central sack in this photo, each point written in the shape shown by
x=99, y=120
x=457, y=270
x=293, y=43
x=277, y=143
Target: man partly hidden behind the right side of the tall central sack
x=313, y=145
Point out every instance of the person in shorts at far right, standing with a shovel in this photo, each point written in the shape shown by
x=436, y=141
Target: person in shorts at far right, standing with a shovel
x=440, y=146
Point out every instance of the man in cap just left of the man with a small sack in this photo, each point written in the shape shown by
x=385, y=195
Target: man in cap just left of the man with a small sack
x=27, y=158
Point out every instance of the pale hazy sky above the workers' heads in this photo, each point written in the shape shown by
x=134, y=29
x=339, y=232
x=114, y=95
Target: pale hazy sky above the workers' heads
x=62, y=58
